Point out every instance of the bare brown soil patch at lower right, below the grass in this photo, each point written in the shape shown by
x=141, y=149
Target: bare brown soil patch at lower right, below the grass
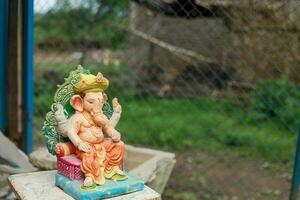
x=200, y=175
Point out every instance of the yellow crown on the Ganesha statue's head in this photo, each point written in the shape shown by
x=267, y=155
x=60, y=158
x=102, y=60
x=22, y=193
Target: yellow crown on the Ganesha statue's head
x=91, y=83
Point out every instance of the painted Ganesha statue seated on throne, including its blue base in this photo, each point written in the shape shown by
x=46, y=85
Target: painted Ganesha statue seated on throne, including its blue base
x=81, y=131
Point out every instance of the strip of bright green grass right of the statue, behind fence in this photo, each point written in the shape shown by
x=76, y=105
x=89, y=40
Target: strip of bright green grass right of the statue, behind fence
x=180, y=124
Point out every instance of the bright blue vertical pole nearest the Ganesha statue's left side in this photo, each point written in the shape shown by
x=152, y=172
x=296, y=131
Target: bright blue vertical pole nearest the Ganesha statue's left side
x=28, y=75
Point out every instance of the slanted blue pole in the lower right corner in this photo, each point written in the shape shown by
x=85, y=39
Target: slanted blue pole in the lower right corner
x=296, y=174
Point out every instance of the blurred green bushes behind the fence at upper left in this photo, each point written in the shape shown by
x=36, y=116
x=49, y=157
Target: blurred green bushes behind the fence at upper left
x=72, y=24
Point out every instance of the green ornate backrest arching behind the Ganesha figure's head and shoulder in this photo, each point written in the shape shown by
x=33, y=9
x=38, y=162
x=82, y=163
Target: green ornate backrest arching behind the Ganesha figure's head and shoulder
x=62, y=96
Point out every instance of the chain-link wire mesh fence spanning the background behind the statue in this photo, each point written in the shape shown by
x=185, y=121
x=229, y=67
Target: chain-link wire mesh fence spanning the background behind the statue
x=216, y=81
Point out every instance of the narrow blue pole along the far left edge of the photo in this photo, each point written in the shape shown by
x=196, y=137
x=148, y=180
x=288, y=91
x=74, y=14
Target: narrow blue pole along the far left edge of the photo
x=3, y=52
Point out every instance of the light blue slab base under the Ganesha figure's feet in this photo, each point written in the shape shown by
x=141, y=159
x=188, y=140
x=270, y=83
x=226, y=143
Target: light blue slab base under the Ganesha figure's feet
x=109, y=189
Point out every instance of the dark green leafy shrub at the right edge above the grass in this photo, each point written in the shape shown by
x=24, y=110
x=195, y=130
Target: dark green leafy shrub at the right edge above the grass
x=278, y=99
